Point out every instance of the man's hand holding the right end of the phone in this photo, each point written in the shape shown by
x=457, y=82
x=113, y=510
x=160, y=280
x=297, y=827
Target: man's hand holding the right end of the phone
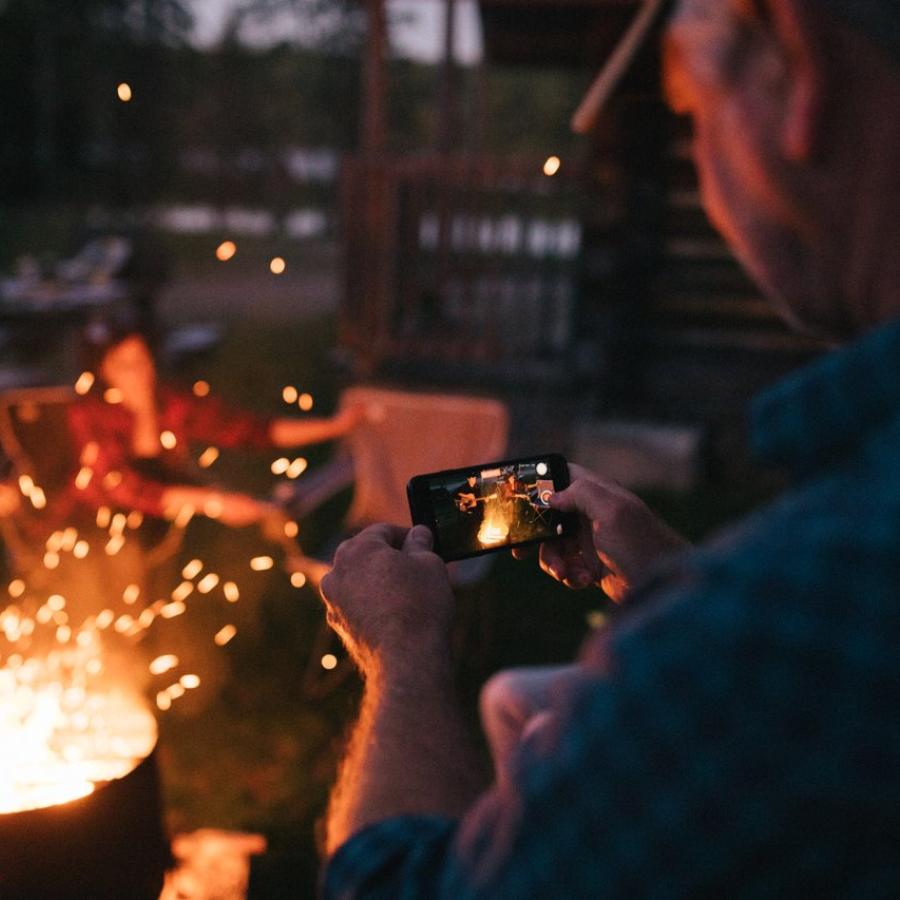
x=617, y=540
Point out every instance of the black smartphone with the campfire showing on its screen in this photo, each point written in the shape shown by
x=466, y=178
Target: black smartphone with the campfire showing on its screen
x=489, y=507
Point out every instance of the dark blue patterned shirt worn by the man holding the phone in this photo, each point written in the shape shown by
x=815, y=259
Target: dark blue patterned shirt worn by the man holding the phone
x=736, y=732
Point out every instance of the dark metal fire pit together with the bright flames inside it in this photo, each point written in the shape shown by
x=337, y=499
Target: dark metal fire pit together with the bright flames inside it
x=80, y=809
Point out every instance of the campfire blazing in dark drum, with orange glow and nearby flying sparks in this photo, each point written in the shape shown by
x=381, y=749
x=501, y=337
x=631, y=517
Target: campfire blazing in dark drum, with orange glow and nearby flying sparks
x=81, y=663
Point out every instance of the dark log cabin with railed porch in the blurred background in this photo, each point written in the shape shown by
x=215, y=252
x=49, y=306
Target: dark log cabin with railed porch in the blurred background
x=605, y=285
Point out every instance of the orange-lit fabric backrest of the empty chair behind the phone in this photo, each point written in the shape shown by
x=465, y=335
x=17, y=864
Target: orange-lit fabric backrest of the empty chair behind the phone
x=406, y=434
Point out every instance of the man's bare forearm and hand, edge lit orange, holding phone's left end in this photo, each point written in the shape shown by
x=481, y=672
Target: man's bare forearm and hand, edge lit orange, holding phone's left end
x=409, y=753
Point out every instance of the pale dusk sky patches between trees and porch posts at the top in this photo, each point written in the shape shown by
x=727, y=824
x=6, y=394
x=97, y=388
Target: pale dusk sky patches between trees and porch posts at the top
x=418, y=35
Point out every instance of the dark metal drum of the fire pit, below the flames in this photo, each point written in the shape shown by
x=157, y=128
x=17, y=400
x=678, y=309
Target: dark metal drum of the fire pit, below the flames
x=110, y=844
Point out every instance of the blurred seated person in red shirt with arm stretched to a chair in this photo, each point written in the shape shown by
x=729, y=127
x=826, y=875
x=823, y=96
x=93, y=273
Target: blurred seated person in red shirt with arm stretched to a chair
x=137, y=438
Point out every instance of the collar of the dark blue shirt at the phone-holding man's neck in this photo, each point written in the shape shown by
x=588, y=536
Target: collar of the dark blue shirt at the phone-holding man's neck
x=829, y=408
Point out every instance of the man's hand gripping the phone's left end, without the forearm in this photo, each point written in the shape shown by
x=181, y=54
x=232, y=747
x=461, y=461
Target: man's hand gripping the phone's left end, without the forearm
x=389, y=598
